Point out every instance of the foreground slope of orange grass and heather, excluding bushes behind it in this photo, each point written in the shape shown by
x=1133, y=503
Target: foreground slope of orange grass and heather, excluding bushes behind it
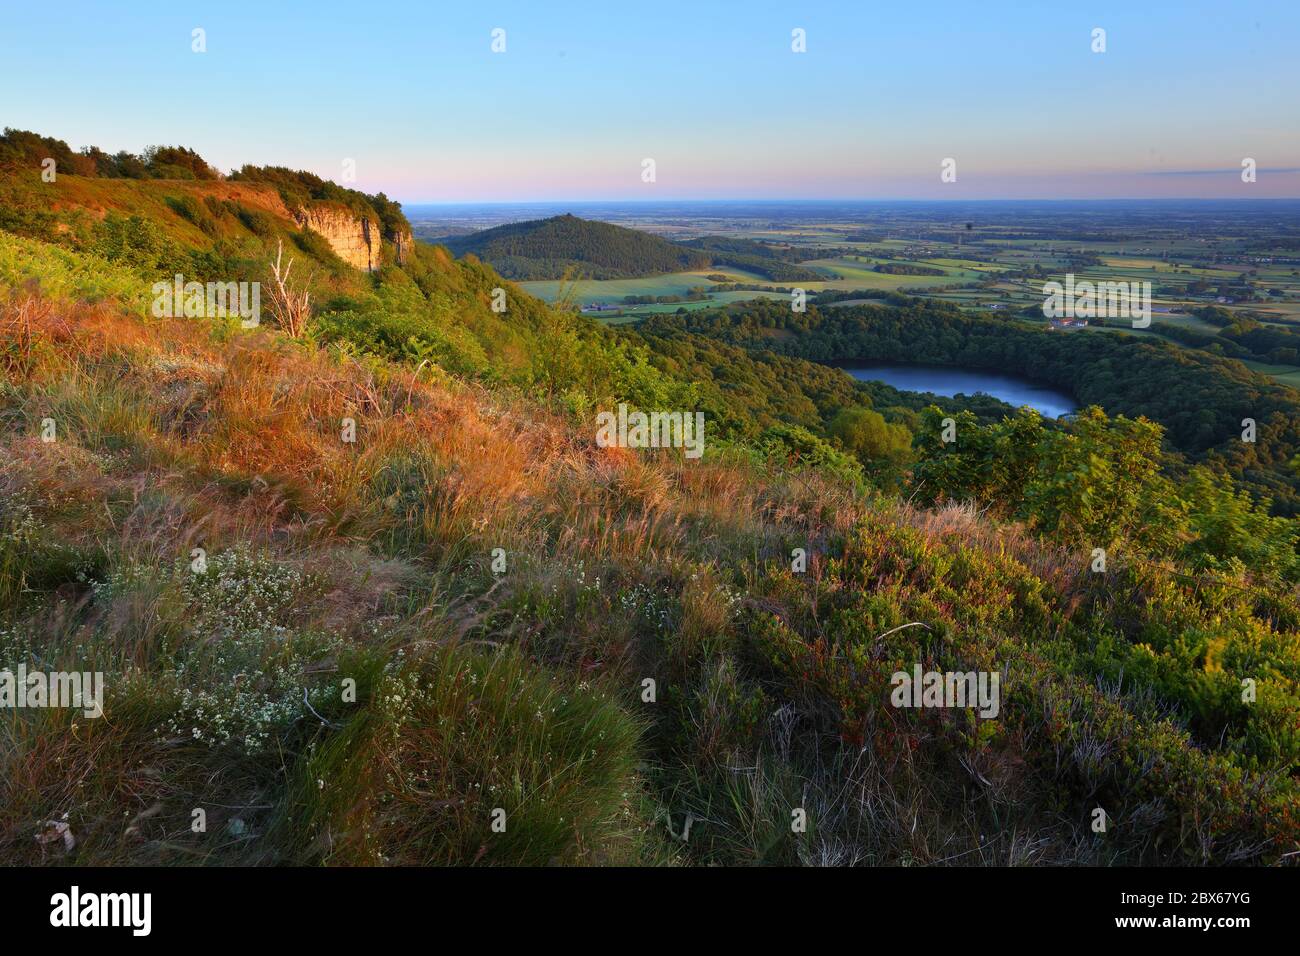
x=352, y=612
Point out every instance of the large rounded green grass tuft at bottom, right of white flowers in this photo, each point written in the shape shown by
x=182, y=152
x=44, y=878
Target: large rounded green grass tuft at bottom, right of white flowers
x=462, y=758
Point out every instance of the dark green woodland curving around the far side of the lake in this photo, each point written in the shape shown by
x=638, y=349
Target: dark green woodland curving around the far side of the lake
x=1202, y=400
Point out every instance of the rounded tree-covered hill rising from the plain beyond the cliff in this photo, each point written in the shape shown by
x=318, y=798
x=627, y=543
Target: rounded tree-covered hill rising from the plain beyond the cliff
x=547, y=248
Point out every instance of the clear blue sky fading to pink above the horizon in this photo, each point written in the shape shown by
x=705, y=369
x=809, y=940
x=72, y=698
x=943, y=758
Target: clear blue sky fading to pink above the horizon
x=710, y=90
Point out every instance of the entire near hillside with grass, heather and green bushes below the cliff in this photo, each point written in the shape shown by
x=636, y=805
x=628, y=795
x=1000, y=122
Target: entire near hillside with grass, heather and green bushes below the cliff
x=358, y=643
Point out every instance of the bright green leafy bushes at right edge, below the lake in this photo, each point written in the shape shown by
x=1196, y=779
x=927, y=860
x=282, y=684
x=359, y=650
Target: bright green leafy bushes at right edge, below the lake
x=1106, y=483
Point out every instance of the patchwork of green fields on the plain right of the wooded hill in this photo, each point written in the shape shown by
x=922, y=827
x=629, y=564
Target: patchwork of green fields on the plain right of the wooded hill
x=995, y=266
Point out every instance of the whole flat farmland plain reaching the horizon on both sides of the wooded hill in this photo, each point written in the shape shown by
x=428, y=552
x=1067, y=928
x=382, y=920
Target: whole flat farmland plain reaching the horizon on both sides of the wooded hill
x=986, y=257
